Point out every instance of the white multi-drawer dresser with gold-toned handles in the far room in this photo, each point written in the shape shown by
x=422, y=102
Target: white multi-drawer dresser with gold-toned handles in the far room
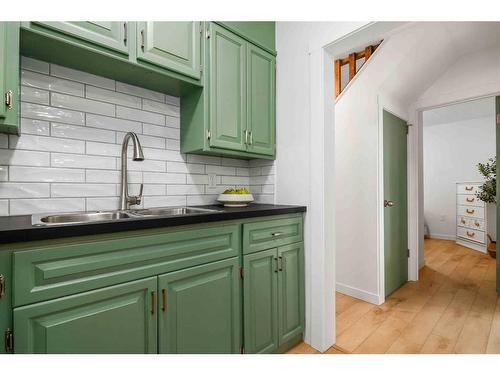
x=471, y=217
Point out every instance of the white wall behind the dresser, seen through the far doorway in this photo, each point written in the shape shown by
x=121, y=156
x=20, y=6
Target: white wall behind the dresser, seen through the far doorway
x=451, y=152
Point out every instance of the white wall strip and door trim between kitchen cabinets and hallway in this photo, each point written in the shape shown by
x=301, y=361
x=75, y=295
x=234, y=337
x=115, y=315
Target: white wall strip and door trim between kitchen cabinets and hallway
x=301, y=172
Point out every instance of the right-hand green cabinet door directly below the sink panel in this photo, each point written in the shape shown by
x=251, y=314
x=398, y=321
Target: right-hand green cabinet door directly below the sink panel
x=199, y=309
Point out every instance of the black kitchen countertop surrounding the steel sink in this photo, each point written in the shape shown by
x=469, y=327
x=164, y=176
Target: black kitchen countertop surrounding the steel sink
x=19, y=228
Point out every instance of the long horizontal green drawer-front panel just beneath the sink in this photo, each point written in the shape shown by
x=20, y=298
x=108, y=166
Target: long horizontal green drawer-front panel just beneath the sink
x=69, y=267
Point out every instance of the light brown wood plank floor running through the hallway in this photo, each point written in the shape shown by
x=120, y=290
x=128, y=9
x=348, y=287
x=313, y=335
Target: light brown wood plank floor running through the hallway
x=453, y=308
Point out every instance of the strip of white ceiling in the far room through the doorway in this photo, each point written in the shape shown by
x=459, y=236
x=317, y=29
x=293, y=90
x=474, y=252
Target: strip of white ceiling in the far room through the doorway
x=460, y=112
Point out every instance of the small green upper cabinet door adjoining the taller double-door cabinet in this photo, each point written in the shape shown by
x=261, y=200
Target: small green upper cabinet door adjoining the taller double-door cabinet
x=171, y=45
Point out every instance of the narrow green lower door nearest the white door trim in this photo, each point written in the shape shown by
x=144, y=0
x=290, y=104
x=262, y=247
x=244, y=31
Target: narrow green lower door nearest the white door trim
x=291, y=291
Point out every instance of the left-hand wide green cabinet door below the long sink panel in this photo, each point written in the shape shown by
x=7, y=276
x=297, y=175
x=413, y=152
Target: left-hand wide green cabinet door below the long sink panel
x=118, y=319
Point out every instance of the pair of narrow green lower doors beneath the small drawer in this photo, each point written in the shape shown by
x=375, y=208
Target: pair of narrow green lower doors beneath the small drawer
x=273, y=299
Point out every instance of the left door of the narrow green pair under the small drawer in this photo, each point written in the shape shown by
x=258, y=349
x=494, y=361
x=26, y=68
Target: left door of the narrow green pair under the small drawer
x=260, y=301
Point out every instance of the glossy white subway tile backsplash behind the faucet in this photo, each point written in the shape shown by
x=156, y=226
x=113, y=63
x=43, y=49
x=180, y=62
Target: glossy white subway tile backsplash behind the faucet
x=67, y=157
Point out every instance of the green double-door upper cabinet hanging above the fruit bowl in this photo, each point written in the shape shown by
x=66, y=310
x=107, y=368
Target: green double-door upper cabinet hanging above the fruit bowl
x=234, y=115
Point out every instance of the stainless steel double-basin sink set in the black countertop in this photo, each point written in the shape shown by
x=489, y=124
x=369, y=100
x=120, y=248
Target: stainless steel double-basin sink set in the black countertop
x=89, y=217
